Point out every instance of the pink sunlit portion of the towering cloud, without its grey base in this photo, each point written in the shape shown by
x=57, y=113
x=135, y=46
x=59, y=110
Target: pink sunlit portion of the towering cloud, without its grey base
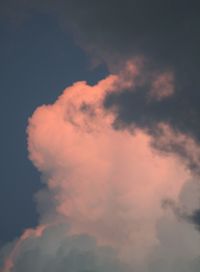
x=105, y=183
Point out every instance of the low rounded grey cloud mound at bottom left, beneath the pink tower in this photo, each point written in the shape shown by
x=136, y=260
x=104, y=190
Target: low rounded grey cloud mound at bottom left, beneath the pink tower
x=56, y=250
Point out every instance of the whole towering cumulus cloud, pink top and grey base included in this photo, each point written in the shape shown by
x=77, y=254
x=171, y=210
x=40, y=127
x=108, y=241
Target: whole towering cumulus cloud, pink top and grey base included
x=101, y=209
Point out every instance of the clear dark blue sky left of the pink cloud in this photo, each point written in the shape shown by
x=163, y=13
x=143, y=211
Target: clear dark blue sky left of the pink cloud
x=38, y=60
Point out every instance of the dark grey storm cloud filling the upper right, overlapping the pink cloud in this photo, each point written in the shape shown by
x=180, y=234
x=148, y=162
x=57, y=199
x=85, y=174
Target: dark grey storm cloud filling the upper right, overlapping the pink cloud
x=164, y=33
